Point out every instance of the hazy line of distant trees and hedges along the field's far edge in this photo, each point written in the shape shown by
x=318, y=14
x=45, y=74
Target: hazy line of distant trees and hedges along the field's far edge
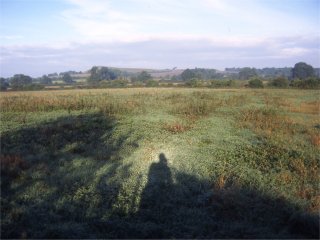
x=302, y=75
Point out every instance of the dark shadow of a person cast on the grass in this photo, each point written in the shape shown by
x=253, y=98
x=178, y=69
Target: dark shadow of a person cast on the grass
x=156, y=207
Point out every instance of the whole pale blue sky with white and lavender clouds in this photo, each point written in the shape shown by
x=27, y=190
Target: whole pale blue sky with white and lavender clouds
x=44, y=36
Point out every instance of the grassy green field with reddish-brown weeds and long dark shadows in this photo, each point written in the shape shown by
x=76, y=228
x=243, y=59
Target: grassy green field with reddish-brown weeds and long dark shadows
x=160, y=163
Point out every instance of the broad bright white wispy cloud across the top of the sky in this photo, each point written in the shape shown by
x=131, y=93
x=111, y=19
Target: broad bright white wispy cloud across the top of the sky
x=99, y=20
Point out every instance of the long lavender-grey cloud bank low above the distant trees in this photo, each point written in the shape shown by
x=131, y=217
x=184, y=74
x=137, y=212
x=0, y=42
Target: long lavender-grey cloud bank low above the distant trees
x=159, y=54
